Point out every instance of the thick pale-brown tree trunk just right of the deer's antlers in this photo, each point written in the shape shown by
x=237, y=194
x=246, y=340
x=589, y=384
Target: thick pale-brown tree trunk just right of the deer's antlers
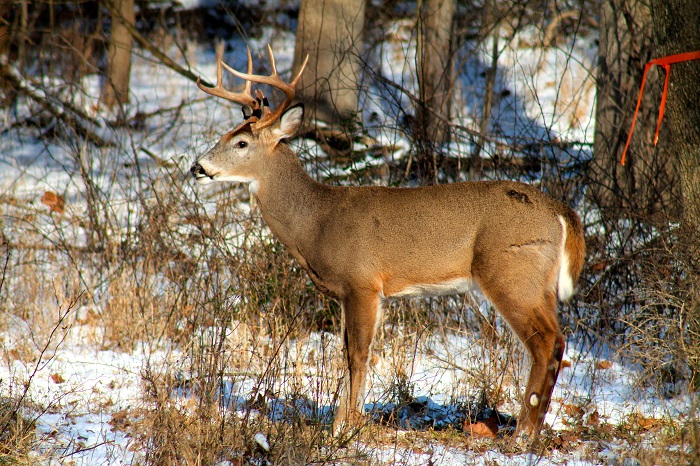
x=330, y=32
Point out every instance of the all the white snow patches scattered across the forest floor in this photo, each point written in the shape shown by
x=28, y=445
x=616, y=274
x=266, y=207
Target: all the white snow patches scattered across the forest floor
x=78, y=388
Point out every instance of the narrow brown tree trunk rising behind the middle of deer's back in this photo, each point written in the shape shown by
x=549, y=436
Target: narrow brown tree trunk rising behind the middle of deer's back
x=435, y=80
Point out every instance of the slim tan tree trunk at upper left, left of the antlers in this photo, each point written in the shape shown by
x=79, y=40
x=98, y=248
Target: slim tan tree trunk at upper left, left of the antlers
x=116, y=87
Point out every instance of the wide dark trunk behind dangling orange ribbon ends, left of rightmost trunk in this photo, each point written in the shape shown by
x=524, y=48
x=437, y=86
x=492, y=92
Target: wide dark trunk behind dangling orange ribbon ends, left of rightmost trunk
x=647, y=187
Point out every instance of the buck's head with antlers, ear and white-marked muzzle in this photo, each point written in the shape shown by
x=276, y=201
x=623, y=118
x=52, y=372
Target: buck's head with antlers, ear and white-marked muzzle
x=241, y=152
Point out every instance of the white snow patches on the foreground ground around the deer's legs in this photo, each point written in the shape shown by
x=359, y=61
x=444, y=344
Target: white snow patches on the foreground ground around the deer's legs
x=95, y=385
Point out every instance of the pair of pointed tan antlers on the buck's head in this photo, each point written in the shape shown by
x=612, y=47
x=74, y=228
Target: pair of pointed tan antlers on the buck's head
x=258, y=104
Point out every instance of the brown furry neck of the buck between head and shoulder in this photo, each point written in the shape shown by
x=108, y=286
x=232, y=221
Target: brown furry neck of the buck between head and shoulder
x=291, y=202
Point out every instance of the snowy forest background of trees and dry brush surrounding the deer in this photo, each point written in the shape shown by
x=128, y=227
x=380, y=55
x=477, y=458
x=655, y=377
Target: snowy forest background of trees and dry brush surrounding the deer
x=167, y=324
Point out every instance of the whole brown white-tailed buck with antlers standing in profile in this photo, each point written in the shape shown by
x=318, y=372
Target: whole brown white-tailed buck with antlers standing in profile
x=363, y=244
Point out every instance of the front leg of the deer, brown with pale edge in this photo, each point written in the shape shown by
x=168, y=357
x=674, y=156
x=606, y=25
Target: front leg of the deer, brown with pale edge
x=361, y=311
